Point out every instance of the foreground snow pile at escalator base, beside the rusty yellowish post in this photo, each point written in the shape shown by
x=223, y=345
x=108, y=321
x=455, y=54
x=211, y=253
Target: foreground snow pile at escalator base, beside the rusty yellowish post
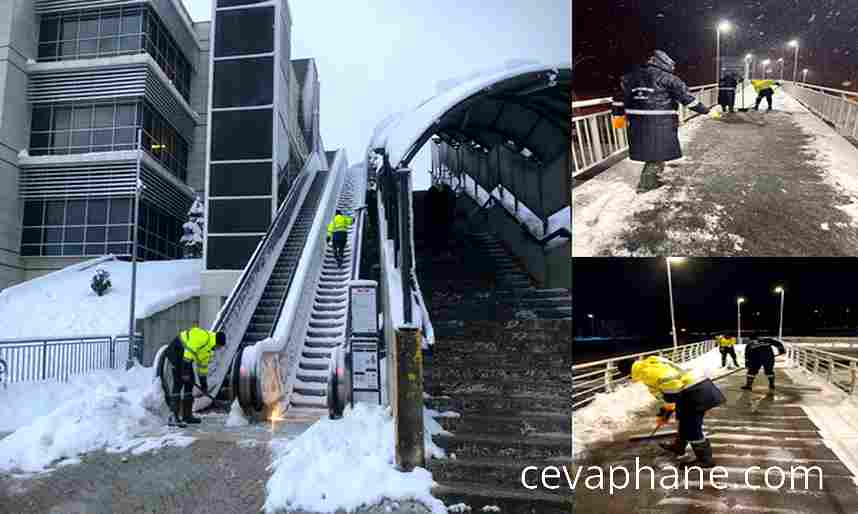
x=317, y=471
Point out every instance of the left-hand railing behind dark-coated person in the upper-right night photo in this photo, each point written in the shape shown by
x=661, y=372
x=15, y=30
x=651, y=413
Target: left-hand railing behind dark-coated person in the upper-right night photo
x=595, y=140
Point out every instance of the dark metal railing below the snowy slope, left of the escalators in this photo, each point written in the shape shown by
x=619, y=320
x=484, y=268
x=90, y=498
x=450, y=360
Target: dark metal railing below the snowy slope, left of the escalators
x=58, y=358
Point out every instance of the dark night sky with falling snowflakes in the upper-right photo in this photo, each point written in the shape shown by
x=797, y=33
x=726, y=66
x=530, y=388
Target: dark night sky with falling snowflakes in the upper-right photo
x=611, y=36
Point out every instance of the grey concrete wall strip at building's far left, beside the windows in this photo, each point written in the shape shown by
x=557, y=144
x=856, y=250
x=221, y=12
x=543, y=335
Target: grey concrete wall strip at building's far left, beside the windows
x=17, y=44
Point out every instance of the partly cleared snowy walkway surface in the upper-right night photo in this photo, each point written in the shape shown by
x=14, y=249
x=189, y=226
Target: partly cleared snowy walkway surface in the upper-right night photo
x=779, y=183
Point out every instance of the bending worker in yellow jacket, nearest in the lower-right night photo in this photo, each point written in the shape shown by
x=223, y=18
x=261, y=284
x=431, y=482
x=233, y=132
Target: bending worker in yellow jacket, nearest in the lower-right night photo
x=690, y=397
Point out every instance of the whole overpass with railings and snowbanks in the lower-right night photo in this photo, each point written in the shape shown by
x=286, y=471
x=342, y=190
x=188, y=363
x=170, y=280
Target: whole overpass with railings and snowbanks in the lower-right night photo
x=808, y=423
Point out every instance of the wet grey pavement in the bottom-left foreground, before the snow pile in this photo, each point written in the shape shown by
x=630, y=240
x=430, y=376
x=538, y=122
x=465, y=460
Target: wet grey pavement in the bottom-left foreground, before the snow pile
x=222, y=471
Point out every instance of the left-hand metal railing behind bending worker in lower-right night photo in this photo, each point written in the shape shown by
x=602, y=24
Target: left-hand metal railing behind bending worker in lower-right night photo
x=604, y=376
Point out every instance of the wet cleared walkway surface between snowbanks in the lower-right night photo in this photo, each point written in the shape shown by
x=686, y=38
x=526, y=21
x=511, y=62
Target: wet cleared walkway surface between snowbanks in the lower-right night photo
x=751, y=429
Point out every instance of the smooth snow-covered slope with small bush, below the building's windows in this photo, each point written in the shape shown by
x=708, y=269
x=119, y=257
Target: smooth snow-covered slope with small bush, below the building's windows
x=62, y=304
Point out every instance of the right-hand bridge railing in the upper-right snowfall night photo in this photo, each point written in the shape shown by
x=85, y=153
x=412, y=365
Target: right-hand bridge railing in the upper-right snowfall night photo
x=836, y=106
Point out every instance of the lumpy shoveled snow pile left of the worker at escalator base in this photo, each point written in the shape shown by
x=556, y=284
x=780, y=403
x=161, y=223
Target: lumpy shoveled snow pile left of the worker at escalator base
x=117, y=411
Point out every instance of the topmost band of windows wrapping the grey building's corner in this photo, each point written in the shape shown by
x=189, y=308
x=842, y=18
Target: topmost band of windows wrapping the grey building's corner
x=109, y=32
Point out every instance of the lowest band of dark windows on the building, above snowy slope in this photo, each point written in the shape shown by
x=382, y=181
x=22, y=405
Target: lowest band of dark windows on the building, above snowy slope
x=97, y=226
